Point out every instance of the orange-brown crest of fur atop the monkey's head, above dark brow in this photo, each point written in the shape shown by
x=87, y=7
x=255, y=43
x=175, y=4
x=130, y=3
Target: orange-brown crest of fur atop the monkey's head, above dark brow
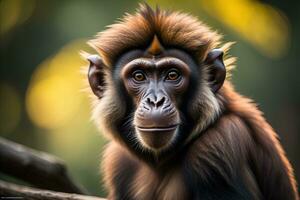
x=138, y=30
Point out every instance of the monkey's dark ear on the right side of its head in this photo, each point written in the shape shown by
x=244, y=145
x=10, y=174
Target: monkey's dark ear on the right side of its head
x=218, y=70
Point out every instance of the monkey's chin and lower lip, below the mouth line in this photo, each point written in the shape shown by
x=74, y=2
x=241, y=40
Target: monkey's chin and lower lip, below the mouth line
x=156, y=138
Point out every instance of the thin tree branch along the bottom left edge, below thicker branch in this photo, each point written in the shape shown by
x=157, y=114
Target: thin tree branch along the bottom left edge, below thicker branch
x=17, y=192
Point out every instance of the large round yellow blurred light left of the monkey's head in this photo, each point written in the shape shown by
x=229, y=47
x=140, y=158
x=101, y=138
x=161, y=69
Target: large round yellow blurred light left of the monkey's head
x=54, y=96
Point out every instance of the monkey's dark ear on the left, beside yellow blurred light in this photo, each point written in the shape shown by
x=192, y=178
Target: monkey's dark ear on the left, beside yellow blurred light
x=96, y=75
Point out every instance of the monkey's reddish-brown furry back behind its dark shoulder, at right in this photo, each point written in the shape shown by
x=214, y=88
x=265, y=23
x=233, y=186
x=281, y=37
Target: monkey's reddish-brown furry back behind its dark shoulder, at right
x=265, y=156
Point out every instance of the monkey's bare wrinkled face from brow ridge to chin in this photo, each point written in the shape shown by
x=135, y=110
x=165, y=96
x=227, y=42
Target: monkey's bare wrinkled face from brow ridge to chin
x=156, y=86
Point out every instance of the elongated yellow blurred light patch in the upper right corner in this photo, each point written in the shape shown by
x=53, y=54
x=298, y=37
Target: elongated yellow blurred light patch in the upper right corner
x=262, y=25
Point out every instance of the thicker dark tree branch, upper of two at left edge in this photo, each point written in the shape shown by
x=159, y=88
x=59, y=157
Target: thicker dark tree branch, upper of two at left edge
x=37, y=168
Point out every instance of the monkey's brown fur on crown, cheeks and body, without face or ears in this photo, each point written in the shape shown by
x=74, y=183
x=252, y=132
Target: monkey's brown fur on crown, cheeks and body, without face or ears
x=231, y=141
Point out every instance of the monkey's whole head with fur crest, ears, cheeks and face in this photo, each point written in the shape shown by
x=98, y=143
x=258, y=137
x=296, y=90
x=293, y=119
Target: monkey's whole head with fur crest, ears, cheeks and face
x=156, y=80
